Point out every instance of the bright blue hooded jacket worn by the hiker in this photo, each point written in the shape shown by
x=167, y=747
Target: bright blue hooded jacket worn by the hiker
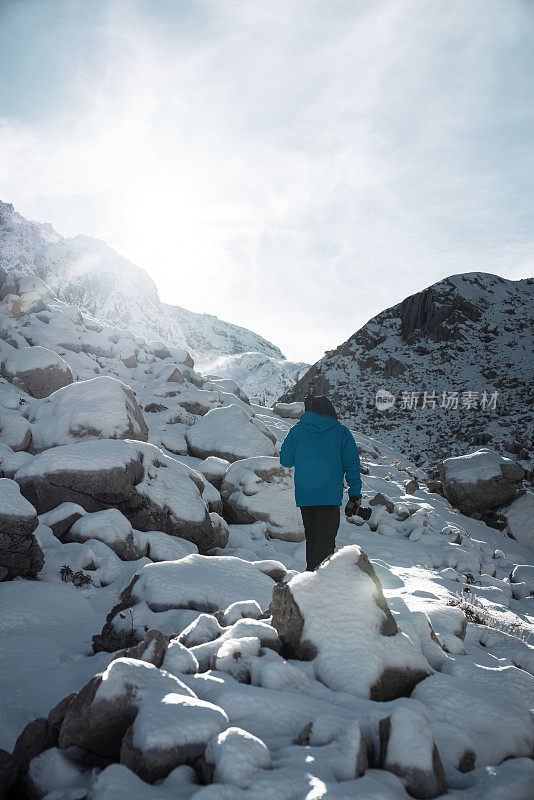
x=322, y=450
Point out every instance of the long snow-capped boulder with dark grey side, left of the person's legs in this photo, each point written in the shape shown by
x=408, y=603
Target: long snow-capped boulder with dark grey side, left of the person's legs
x=155, y=492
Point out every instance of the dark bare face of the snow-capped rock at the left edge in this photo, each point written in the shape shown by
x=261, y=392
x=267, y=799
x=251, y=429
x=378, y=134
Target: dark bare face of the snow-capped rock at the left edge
x=20, y=554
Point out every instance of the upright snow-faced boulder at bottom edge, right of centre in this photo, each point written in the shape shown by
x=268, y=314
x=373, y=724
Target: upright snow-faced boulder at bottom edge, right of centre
x=408, y=750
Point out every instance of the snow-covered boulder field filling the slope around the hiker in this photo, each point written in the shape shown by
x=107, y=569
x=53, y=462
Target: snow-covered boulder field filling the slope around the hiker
x=160, y=637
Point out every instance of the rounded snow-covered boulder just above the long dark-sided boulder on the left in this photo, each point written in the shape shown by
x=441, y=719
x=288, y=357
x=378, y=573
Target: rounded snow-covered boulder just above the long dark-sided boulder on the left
x=99, y=408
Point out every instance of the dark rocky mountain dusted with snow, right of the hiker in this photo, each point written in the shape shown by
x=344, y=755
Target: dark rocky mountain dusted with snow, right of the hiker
x=453, y=366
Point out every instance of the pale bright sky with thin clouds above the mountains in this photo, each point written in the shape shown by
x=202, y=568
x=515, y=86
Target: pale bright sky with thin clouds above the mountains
x=292, y=166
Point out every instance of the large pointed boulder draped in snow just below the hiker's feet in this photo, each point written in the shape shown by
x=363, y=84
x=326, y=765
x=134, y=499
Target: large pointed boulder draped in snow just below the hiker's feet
x=338, y=618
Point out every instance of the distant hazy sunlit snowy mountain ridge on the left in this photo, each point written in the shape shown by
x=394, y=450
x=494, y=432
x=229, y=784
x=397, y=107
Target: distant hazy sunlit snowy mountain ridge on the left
x=86, y=272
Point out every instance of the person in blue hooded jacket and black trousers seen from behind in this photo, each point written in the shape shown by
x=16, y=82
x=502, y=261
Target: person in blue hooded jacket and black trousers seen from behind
x=322, y=450
